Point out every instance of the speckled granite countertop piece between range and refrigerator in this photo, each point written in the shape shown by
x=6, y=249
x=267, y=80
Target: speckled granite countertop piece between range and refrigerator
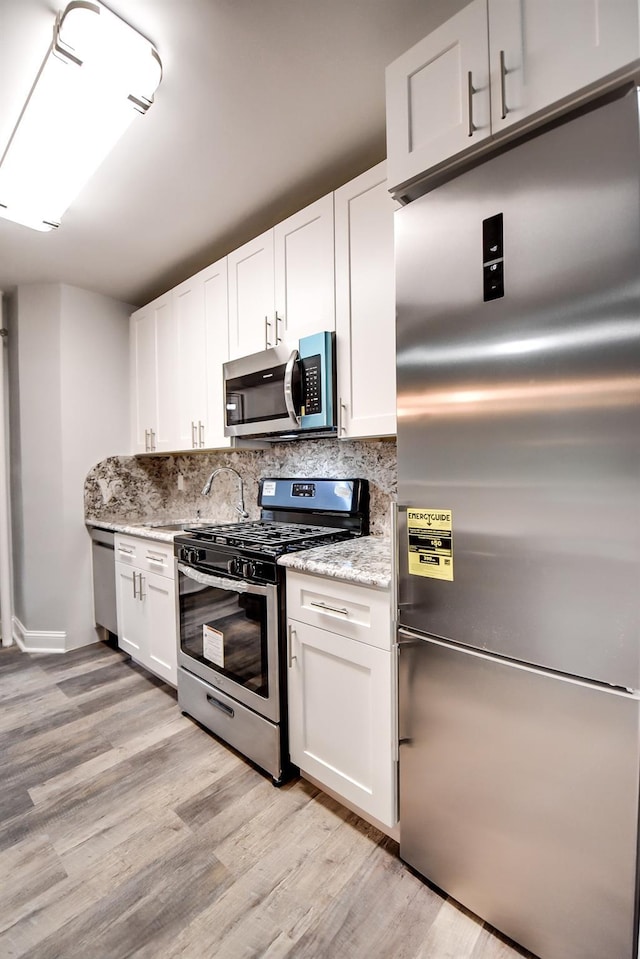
x=366, y=561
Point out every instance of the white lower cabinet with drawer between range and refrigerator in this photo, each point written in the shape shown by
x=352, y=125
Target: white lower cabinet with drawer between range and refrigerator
x=342, y=691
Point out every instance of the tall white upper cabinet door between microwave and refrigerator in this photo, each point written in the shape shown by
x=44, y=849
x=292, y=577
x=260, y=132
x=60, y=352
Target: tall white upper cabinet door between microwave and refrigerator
x=366, y=306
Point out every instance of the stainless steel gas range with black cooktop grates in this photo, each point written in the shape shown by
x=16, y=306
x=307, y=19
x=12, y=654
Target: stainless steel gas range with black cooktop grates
x=231, y=658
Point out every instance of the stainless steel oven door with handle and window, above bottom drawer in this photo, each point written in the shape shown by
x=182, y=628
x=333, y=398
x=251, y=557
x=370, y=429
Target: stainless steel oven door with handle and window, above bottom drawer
x=229, y=637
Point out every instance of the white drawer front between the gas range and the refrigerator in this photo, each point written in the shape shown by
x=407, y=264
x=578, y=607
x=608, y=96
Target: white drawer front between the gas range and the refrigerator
x=358, y=612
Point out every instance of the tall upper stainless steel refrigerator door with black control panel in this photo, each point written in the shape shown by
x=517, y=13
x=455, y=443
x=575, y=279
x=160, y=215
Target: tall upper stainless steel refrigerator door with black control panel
x=520, y=413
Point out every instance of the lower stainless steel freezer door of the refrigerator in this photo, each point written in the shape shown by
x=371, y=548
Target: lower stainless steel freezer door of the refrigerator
x=519, y=798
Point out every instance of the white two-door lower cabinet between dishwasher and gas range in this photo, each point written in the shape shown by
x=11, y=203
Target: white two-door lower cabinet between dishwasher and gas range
x=146, y=604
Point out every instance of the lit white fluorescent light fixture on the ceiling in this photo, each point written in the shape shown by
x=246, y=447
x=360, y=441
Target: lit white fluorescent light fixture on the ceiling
x=98, y=74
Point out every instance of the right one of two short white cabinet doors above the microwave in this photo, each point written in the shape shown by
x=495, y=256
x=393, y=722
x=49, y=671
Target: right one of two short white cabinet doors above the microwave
x=304, y=272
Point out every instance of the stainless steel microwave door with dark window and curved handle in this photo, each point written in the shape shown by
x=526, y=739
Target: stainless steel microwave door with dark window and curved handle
x=262, y=393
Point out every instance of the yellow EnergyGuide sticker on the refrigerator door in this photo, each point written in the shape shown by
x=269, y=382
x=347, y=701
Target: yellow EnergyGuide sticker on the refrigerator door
x=430, y=542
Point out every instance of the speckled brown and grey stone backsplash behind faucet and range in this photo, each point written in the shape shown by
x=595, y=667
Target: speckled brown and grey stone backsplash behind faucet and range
x=143, y=488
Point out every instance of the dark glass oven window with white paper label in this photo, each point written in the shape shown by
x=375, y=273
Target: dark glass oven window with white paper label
x=227, y=632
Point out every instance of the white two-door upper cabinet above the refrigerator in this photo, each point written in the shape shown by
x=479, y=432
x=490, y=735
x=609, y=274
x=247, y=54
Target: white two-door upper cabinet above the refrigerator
x=495, y=64
